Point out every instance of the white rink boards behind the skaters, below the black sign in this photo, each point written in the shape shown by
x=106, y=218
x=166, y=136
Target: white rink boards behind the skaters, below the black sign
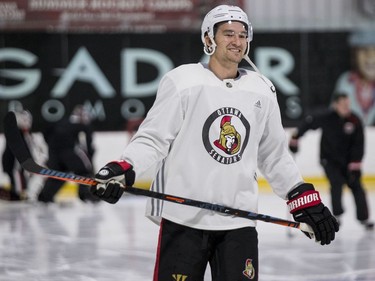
x=109, y=146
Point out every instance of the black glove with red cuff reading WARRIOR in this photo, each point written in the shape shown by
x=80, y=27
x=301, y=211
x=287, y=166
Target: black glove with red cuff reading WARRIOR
x=305, y=206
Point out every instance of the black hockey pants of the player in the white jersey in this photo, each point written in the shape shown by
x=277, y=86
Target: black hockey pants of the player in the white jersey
x=184, y=253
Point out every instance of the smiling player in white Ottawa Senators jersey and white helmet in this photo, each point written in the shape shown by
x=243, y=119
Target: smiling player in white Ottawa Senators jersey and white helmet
x=210, y=128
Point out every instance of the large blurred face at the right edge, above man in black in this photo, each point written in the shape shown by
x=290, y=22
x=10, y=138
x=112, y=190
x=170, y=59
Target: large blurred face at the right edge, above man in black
x=366, y=62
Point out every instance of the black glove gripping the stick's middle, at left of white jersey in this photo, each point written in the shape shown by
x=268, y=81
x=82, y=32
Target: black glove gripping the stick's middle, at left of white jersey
x=112, y=179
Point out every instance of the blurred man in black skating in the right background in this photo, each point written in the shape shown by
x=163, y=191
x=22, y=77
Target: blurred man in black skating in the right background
x=341, y=153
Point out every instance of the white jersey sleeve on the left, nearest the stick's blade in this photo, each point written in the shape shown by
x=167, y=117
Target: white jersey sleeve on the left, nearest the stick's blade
x=154, y=137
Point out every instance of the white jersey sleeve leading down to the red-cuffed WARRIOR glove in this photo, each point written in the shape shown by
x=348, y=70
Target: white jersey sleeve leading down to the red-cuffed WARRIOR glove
x=274, y=159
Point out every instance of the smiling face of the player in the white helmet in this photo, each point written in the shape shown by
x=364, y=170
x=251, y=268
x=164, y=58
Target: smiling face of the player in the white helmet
x=231, y=40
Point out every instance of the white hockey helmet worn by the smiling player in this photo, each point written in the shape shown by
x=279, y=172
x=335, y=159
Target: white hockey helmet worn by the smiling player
x=223, y=13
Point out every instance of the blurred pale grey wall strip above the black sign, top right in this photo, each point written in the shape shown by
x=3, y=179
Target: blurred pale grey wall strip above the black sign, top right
x=289, y=15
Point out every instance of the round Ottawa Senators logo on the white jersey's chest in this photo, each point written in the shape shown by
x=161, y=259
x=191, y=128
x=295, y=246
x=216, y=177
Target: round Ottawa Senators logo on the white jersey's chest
x=225, y=135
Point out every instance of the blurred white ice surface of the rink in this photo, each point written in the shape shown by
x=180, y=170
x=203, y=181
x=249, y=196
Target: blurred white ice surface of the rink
x=84, y=242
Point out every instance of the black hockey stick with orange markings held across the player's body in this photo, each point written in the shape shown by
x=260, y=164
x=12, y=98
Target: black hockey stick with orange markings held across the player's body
x=23, y=155
